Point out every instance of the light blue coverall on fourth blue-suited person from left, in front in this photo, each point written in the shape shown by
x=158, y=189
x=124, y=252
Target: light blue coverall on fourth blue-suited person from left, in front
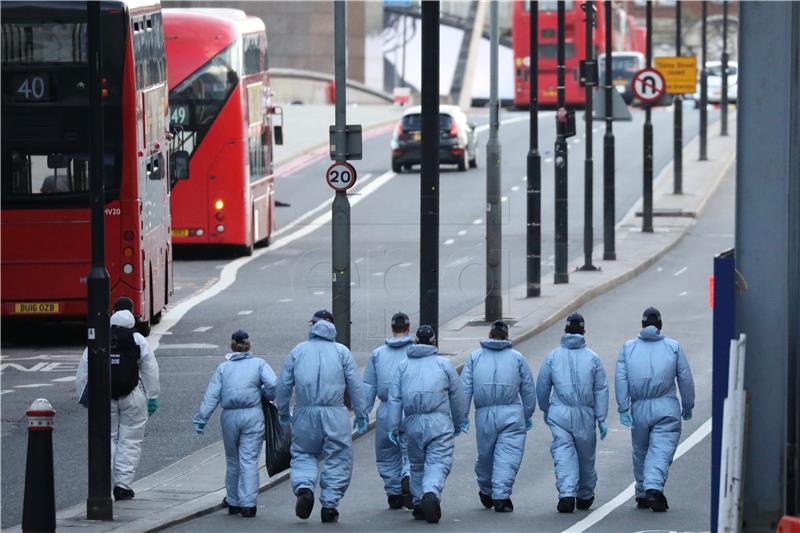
x=427, y=390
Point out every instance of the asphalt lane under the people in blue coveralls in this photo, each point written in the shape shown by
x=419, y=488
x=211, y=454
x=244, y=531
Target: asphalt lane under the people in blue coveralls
x=678, y=285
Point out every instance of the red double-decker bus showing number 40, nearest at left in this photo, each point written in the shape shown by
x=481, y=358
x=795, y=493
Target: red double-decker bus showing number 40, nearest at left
x=45, y=158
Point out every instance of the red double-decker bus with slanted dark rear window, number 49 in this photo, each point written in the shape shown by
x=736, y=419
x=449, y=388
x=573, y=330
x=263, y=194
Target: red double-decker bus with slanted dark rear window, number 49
x=220, y=107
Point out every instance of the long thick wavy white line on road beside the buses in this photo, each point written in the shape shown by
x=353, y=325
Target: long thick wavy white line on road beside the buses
x=228, y=275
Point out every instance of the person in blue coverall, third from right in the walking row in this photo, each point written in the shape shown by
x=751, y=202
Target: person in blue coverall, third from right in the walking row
x=501, y=383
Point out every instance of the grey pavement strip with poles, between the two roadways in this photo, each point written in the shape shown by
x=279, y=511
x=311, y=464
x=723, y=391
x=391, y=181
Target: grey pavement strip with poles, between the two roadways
x=192, y=486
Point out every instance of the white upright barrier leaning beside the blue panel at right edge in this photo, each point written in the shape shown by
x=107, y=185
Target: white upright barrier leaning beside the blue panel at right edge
x=733, y=421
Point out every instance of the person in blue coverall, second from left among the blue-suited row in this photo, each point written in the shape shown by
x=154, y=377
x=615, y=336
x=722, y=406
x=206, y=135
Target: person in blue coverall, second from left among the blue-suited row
x=320, y=370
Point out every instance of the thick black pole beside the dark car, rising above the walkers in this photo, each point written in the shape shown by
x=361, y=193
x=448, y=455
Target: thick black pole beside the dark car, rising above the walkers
x=429, y=179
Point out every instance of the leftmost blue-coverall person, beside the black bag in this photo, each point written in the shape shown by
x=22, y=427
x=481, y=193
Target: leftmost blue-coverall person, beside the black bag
x=238, y=385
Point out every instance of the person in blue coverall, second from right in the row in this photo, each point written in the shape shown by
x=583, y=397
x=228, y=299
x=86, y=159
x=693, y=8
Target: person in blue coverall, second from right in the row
x=573, y=394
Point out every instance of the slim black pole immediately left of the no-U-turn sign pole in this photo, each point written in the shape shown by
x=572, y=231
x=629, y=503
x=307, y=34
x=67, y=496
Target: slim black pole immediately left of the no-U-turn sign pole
x=609, y=251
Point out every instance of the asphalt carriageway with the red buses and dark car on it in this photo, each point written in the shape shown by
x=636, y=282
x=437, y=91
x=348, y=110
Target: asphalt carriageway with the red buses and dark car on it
x=276, y=293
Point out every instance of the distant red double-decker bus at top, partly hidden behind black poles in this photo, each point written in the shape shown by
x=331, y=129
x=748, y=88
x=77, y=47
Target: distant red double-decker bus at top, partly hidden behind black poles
x=574, y=48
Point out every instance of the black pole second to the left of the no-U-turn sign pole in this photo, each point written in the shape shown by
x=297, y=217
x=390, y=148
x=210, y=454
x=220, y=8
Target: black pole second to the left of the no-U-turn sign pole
x=588, y=165
